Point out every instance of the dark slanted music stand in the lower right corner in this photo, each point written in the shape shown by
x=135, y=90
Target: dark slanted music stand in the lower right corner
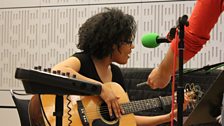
x=209, y=107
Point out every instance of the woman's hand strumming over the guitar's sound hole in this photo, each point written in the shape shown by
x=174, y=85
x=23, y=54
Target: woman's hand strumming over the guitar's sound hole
x=111, y=100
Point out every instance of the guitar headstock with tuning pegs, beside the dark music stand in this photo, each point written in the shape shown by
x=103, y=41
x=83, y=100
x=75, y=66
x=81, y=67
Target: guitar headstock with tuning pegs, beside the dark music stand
x=194, y=94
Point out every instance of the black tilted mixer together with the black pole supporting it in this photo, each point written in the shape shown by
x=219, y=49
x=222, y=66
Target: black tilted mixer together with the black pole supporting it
x=43, y=82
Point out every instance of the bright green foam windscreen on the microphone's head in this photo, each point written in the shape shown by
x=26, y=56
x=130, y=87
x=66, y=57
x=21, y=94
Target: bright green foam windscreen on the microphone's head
x=150, y=40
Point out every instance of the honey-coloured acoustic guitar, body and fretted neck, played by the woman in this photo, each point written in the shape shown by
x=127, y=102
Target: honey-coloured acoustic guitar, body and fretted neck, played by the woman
x=92, y=110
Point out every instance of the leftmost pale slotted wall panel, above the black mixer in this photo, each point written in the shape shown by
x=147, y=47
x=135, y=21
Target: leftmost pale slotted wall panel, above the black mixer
x=19, y=43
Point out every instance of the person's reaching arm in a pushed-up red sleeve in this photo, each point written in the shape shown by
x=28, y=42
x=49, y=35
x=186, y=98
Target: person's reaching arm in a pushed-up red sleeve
x=204, y=16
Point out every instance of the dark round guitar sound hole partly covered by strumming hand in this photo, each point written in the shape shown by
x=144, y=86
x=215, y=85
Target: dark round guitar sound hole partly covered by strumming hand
x=105, y=113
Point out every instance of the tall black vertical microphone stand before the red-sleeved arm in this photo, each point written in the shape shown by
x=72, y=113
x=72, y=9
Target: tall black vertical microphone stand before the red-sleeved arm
x=180, y=88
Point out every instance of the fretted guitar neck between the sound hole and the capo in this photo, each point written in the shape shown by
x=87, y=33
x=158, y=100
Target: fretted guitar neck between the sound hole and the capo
x=146, y=104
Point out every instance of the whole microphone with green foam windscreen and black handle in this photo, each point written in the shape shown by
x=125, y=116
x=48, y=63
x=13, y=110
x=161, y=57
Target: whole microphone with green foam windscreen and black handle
x=152, y=40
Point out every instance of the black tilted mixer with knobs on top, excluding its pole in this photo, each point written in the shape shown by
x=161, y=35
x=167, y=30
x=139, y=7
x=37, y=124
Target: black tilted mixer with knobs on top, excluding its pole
x=46, y=81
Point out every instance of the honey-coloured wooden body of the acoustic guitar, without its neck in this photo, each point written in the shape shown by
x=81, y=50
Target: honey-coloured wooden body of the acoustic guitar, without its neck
x=94, y=108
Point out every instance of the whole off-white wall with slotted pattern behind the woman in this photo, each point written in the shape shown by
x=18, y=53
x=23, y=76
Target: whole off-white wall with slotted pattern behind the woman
x=44, y=32
